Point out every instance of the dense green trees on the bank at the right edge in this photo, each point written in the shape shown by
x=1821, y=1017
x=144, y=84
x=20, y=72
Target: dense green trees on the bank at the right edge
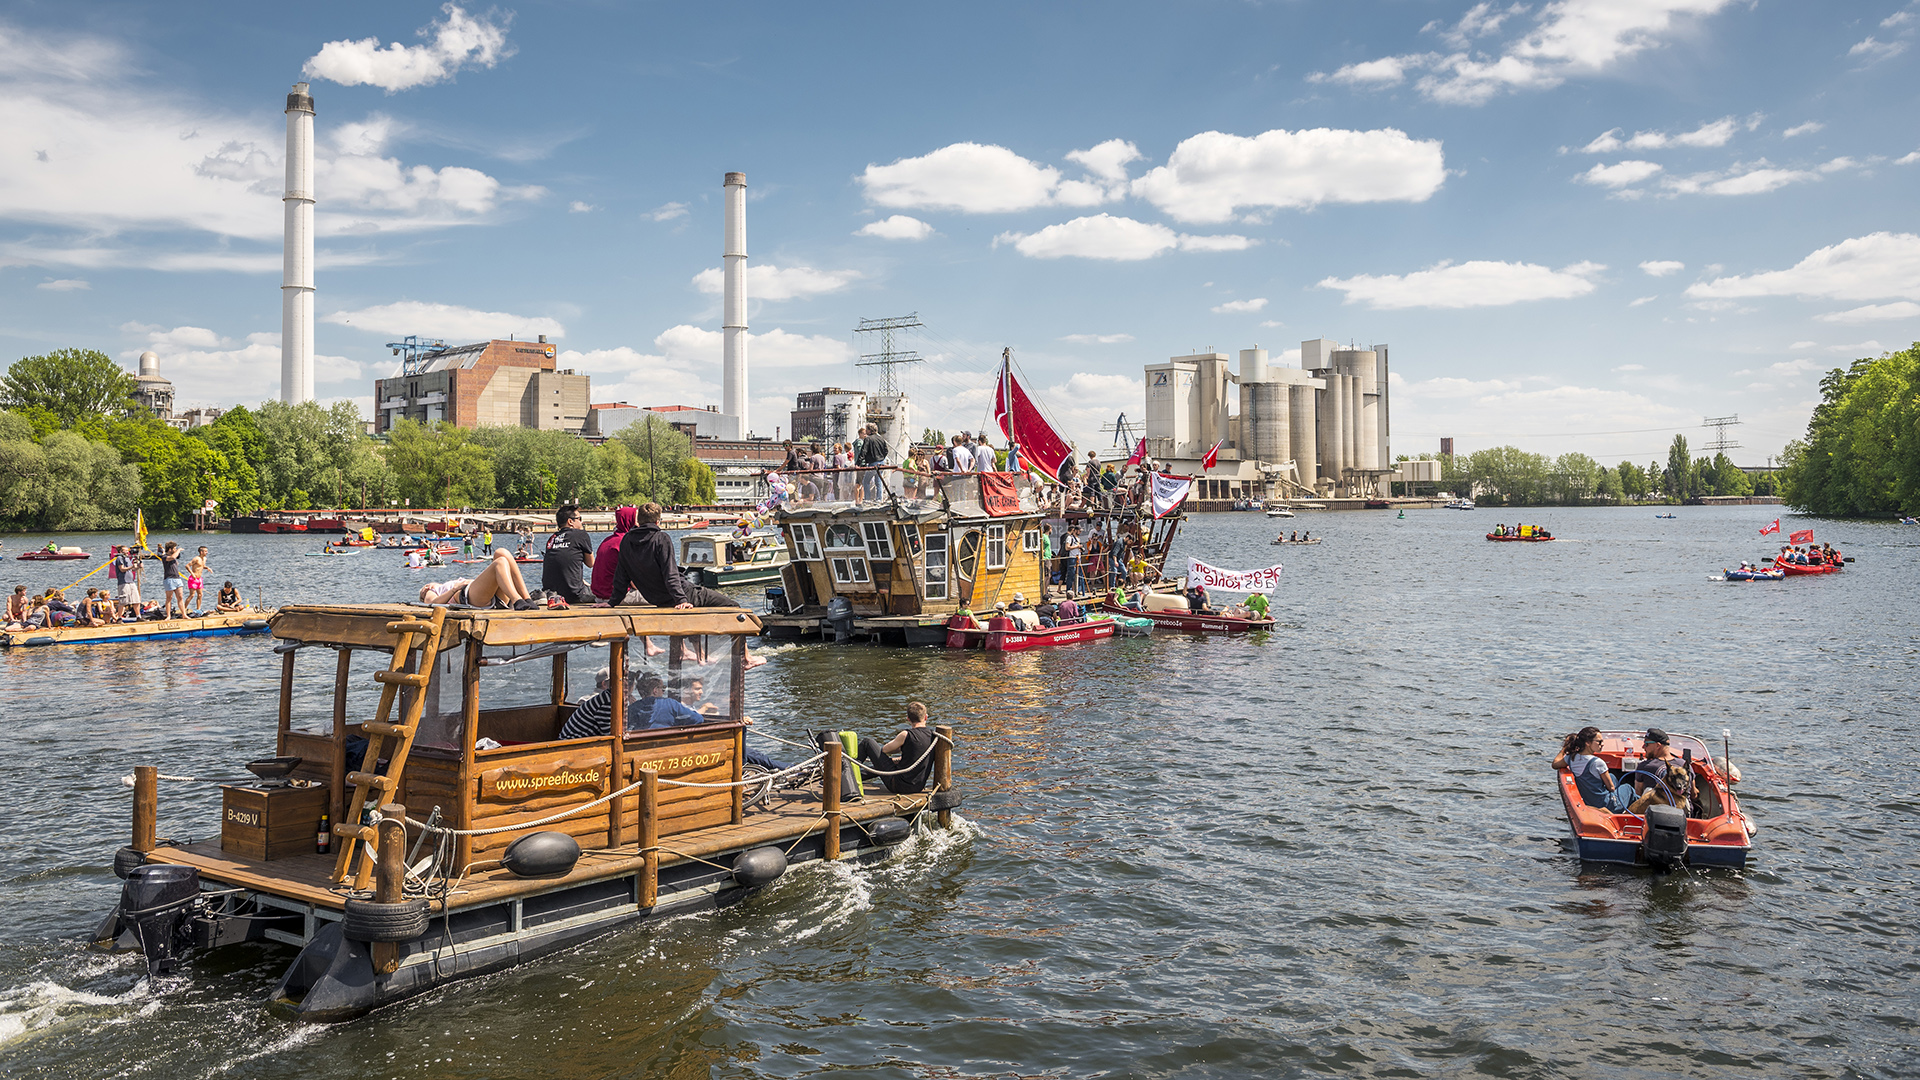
x=1861, y=454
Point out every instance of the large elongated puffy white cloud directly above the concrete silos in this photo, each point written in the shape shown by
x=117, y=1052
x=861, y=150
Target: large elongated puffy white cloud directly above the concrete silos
x=1212, y=176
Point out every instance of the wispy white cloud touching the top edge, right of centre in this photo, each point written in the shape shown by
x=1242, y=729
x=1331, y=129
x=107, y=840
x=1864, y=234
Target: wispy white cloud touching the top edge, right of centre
x=1570, y=37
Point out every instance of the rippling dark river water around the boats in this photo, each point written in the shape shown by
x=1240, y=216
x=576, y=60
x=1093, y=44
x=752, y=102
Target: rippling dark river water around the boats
x=1328, y=850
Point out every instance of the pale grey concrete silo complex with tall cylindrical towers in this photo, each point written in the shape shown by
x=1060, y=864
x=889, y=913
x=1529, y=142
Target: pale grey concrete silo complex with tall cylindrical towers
x=1310, y=431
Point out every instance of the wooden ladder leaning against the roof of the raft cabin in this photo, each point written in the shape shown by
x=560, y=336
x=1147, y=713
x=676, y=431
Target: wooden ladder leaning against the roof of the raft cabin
x=372, y=785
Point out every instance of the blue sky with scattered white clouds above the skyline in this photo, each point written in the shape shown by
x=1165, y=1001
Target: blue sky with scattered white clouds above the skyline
x=1581, y=224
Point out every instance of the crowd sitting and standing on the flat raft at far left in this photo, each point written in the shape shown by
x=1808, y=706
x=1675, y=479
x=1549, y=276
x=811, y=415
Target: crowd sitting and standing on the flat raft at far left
x=183, y=595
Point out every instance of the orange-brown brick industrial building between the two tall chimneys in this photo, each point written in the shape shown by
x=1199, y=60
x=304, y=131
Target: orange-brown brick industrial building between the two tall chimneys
x=496, y=383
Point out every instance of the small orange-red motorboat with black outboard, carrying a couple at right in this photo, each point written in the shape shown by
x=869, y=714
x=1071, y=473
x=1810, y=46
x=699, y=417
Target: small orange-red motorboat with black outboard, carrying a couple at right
x=1716, y=833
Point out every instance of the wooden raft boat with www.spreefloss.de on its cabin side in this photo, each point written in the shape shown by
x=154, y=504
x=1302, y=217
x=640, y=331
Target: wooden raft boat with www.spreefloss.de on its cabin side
x=531, y=843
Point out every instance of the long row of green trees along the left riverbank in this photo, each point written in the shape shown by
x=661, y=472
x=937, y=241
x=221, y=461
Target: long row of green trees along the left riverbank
x=78, y=453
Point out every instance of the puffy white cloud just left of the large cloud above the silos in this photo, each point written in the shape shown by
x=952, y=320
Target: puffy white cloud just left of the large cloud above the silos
x=972, y=178
